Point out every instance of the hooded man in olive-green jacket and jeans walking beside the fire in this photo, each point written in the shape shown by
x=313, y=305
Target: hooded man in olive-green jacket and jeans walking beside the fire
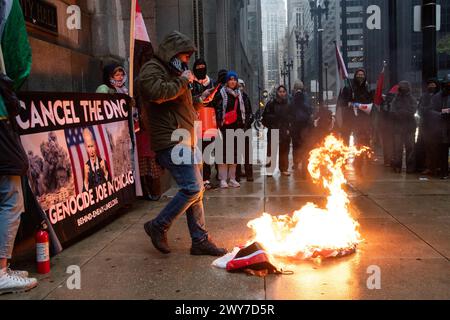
x=164, y=83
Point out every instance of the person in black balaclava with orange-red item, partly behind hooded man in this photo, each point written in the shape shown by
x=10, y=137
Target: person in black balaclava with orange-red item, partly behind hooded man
x=203, y=82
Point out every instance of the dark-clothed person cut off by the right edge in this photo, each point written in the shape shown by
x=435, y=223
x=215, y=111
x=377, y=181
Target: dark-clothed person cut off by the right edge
x=440, y=111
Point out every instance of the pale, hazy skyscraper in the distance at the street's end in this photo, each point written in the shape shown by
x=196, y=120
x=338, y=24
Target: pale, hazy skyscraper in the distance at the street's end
x=273, y=28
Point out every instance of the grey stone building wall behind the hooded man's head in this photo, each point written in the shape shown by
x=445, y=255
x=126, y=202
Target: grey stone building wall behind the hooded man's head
x=220, y=30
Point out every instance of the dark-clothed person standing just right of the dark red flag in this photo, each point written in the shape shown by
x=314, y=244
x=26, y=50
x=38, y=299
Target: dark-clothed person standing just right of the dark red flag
x=403, y=110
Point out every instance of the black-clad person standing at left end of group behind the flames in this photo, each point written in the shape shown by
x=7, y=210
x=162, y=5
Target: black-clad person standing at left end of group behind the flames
x=277, y=116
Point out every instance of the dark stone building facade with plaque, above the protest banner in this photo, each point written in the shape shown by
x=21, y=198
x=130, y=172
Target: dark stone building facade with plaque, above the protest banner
x=80, y=54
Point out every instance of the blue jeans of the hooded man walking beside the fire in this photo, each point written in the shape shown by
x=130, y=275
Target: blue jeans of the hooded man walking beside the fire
x=189, y=198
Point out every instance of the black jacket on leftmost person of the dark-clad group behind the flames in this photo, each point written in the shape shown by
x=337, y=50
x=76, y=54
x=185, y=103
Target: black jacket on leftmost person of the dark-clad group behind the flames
x=277, y=115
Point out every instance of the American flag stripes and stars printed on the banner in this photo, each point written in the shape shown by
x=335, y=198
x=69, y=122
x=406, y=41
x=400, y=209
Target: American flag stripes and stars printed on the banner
x=78, y=154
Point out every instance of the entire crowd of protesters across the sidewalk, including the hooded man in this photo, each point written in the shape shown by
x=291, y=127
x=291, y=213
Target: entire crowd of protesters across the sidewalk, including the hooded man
x=169, y=97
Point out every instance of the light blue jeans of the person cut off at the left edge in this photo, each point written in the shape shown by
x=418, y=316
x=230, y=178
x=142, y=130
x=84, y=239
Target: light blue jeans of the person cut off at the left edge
x=11, y=206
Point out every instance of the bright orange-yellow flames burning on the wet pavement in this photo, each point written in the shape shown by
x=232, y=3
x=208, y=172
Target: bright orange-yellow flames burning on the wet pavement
x=312, y=229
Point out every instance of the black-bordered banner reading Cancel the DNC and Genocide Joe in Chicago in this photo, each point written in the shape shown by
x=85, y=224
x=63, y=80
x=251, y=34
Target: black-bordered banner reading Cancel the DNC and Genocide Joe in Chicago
x=80, y=152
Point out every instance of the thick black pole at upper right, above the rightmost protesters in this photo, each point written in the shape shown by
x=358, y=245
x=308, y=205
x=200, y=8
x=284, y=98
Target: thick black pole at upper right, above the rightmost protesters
x=429, y=61
